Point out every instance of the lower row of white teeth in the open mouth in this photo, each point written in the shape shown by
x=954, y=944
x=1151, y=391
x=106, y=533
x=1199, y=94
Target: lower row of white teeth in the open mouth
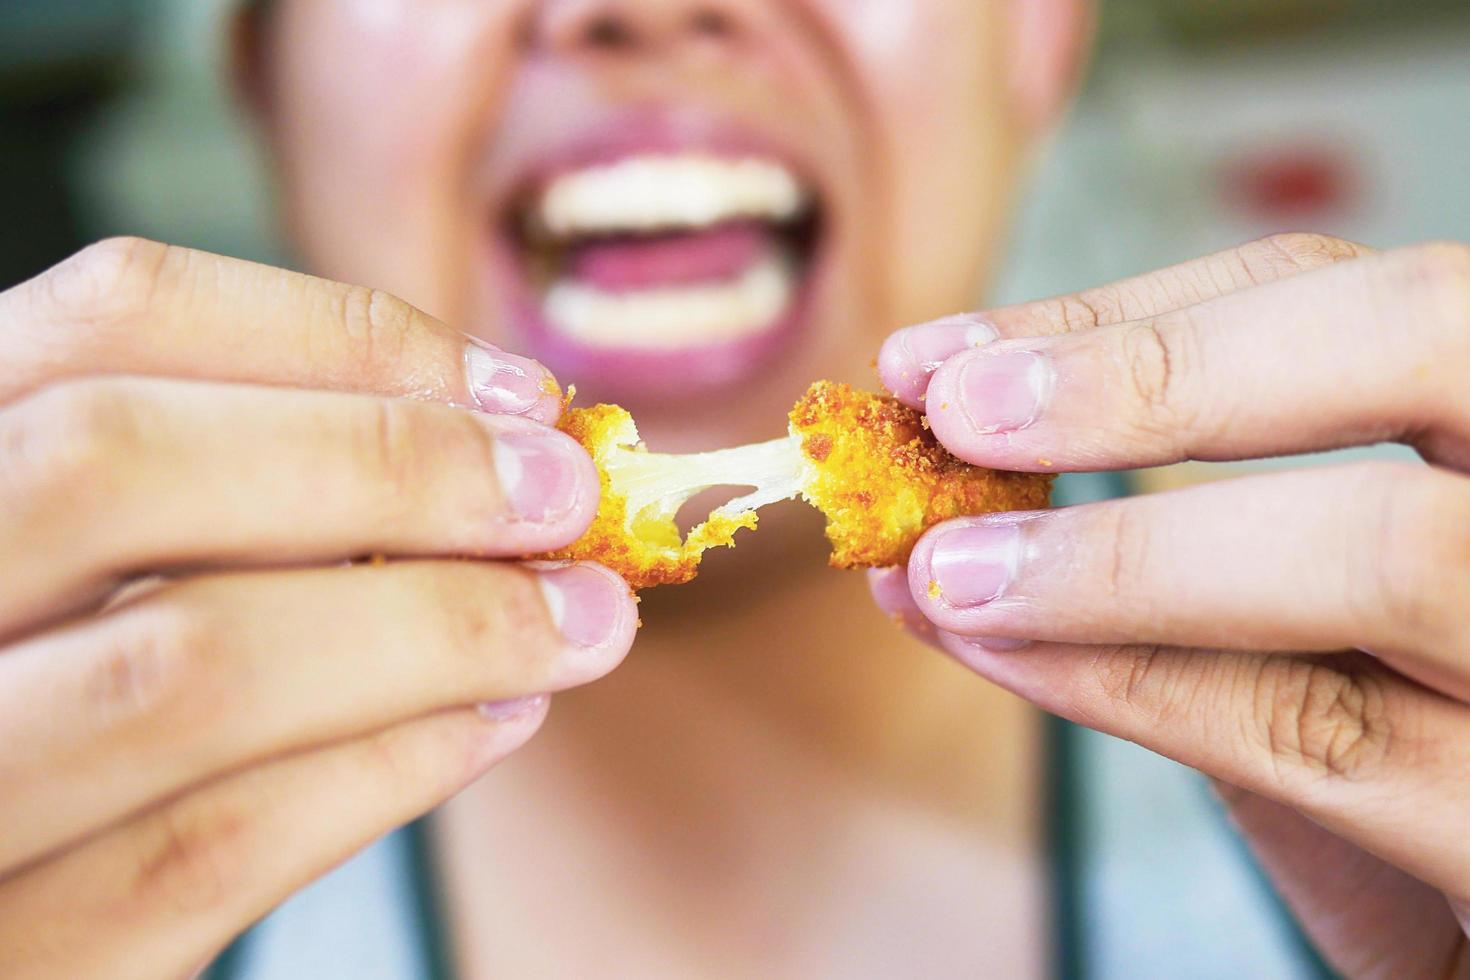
x=673, y=317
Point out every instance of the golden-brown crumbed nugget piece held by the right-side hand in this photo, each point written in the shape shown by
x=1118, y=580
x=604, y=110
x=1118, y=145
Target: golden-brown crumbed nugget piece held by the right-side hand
x=883, y=478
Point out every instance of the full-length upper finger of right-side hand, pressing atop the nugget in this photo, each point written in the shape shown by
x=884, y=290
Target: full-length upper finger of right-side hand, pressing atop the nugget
x=1353, y=355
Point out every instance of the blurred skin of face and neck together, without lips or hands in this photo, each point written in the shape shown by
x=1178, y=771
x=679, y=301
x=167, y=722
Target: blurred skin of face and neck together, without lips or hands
x=839, y=82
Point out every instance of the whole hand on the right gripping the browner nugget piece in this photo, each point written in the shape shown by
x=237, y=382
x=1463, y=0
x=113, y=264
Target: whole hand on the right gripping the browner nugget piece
x=1302, y=637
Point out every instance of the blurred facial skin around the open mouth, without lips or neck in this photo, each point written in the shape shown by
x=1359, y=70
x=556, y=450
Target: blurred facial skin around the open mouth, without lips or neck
x=434, y=143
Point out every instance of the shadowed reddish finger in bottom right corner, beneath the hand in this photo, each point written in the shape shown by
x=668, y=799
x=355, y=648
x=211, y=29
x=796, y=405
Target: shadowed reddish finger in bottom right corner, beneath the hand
x=1358, y=909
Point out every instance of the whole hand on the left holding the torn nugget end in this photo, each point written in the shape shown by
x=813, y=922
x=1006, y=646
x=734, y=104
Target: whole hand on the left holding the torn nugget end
x=204, y=703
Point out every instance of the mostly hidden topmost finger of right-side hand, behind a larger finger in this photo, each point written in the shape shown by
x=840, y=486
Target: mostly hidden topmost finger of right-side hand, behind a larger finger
x=909, y=358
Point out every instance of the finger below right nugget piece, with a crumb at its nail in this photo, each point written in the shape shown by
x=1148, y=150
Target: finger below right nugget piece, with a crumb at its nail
x=1368, y=556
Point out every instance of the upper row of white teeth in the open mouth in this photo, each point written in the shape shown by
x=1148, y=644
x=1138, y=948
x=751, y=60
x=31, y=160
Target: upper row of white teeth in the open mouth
x=652, y=193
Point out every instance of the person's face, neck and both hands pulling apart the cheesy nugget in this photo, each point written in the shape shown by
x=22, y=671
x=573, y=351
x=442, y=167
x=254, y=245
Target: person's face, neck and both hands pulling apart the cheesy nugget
x=211, y=696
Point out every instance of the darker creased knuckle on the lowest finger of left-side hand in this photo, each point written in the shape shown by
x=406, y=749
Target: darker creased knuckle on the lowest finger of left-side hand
x=196, y=856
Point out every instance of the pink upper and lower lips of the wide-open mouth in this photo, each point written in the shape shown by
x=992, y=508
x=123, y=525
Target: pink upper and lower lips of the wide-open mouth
x=637, y=374
